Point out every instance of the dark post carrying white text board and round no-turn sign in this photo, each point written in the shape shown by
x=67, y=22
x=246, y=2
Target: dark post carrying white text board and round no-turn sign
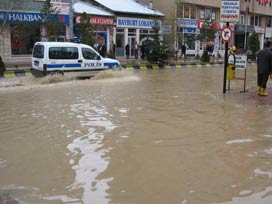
x=229, y=13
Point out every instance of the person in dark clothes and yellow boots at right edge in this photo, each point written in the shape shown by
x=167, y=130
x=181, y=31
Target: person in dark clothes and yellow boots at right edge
x=264, y=68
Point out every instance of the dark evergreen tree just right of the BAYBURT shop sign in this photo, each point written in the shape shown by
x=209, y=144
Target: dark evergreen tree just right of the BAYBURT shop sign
x=158, y=52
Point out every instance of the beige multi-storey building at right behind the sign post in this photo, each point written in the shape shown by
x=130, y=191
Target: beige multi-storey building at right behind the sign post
x=185, y=17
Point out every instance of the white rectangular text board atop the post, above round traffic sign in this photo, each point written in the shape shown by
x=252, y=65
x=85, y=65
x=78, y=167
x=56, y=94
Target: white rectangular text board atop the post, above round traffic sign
x=230, y=11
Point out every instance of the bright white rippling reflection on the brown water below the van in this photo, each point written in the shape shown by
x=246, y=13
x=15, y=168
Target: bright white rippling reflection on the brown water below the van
x=88, y=157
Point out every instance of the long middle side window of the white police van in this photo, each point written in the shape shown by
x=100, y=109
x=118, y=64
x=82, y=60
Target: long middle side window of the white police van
x=63, y=53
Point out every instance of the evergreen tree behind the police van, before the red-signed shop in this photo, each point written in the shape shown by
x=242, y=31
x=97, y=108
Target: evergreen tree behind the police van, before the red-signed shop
x=85, y=31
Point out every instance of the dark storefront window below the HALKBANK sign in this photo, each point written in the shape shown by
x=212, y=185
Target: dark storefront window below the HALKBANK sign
x=23, y=37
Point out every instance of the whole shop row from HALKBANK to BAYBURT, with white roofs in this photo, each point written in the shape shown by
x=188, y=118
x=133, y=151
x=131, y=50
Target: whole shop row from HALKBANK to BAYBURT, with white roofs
x=24, y=22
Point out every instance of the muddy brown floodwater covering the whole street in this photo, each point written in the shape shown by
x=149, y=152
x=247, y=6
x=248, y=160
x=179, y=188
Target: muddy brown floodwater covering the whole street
x=145, y=137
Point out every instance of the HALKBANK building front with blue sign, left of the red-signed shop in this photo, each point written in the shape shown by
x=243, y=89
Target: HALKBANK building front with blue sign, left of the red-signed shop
x=22, y=23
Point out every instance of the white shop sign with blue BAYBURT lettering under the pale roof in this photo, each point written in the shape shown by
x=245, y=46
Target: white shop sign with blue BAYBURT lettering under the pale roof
x=123, y=22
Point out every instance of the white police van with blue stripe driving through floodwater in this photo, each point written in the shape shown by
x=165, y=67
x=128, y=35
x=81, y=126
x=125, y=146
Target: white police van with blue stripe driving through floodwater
x=63, y=57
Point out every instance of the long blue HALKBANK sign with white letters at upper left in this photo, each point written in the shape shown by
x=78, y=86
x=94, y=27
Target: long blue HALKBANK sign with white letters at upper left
x=26, y=17
